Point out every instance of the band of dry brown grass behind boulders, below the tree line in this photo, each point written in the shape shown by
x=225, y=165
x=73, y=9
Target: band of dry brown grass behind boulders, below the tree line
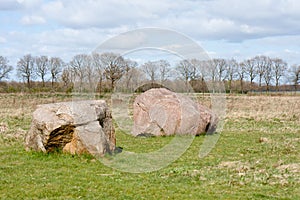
x=281, y=108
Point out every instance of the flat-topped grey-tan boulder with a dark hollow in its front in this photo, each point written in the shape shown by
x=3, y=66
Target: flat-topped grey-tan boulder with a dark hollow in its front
x=76, y=127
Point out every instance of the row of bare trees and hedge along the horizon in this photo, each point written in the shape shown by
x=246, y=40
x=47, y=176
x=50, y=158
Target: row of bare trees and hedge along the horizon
x=103, y=72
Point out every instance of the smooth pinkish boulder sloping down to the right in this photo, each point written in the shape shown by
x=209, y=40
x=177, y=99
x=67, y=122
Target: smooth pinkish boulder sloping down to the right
x=162, y=112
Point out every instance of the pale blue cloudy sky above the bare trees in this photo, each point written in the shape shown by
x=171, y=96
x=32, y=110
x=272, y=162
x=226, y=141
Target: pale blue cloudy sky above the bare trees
x=223, y=28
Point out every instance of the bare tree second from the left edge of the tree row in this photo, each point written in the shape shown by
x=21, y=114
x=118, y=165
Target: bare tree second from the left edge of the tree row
x=25, y=68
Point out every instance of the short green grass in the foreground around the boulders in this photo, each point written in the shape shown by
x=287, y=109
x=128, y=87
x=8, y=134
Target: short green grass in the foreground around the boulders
x=238, y=167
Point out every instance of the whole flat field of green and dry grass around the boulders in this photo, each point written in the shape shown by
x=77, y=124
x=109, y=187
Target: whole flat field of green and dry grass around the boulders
x=257, y=157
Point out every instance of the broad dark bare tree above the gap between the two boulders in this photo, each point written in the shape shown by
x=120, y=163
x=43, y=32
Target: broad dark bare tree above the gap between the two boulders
x=114, y=67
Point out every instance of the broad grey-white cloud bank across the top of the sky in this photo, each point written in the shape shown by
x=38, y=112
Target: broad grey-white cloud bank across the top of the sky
x=231, y=20
